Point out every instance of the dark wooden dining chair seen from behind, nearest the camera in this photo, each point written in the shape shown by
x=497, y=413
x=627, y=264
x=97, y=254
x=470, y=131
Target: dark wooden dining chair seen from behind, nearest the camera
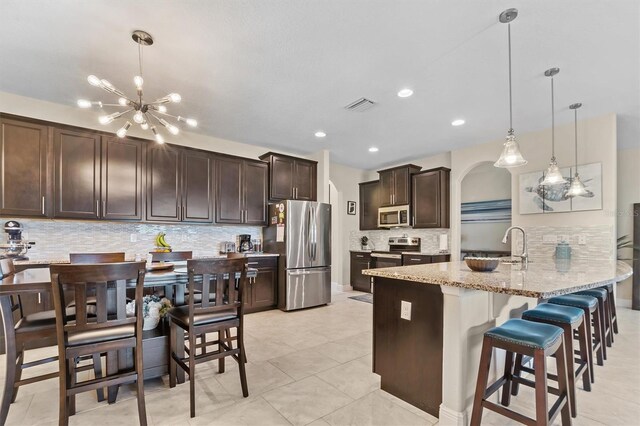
x=86, y=334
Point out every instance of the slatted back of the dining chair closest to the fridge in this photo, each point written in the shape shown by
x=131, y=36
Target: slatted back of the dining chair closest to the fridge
x=222, y=290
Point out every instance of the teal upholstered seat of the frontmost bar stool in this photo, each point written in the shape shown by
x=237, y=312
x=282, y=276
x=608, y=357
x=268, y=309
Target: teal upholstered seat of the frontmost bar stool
x=526, y=333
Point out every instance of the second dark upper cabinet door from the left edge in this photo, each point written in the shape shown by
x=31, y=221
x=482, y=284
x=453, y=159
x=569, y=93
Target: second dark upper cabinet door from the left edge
x=77, y=174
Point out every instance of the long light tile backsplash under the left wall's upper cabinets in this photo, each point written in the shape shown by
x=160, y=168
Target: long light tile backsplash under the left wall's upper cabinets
x=55, y=239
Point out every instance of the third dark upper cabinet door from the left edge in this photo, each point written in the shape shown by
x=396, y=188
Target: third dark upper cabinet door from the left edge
x=121, y=178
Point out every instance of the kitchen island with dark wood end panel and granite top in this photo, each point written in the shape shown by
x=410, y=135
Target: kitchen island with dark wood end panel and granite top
x=431, y=359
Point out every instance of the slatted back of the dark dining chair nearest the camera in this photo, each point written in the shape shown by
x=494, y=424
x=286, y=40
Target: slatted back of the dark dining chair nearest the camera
x=95, y=280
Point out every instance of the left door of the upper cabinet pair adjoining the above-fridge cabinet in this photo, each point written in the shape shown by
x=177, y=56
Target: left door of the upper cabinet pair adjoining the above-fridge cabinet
x=229, y=206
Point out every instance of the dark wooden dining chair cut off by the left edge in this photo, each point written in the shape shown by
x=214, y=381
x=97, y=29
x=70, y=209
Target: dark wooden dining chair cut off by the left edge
x=31, y=331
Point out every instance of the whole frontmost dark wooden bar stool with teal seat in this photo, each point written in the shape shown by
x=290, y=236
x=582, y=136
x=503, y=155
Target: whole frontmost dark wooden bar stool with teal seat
x=527, y=338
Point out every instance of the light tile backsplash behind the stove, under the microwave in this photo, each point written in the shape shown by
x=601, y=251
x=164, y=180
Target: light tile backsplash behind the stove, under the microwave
x=379, y=239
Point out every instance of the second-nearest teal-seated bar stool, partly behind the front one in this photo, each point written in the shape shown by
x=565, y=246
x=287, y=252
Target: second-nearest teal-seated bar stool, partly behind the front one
x=569, y=319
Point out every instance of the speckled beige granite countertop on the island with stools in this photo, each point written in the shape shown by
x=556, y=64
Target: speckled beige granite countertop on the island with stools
x=539, y=279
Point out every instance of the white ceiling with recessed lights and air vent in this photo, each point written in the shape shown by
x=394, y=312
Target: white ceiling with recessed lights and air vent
x=272, y=73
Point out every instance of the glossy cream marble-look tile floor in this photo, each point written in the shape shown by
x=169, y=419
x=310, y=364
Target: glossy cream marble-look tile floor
x=313, y=367
